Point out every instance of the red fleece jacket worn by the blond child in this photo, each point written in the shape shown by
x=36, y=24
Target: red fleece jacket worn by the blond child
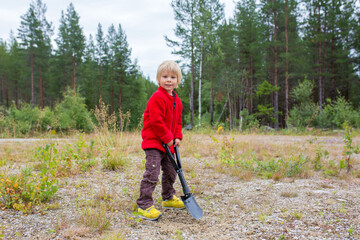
x=162, y=120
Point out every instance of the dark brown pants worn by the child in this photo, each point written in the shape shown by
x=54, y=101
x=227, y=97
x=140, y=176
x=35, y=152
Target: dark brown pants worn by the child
x=154, y=160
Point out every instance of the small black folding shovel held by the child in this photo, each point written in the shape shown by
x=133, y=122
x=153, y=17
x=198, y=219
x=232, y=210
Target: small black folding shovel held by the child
x=189, y=201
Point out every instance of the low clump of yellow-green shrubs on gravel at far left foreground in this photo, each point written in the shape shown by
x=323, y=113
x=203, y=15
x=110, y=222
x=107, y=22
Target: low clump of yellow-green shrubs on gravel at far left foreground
x=34, y=185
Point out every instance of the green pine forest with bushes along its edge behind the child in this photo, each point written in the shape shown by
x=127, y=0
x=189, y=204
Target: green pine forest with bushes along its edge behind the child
x=277, y=64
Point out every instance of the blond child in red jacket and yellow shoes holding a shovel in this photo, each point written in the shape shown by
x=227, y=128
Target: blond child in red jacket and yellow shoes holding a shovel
x=162, y=124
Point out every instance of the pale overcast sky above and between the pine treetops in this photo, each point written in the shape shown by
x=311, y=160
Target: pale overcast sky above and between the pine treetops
x=145, y=23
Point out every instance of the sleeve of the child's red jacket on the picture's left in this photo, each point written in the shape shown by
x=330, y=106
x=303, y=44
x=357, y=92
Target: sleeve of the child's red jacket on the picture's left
x=157, y=110
